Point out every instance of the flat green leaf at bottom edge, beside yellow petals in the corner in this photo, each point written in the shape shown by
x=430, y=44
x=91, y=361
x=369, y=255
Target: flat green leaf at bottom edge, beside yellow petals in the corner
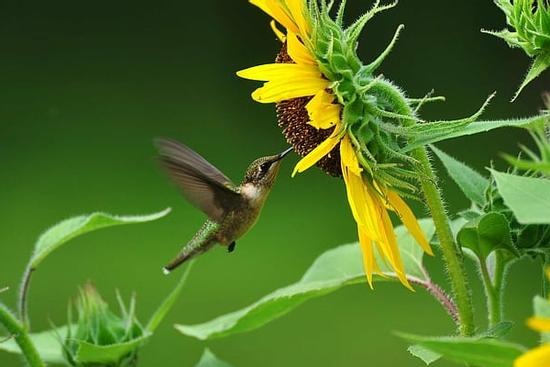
x=474, y=351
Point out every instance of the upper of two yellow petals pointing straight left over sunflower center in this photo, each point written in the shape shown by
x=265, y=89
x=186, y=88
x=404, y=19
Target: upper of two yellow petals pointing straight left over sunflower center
x=282, y=72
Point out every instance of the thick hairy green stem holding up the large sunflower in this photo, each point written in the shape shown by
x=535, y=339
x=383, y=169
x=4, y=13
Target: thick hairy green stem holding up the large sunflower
x=452, y=254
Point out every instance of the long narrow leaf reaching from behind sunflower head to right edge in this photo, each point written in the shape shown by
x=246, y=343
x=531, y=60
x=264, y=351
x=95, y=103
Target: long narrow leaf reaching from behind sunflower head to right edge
x=428, y=138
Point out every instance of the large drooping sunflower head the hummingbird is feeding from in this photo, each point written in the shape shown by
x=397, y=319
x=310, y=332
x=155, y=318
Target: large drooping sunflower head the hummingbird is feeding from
x=320, y=88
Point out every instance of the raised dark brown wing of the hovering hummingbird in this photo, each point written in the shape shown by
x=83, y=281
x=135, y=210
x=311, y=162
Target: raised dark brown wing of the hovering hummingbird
x=202, y=184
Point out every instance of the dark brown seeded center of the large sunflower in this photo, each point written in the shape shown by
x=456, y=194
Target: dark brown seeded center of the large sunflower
x=293, y=119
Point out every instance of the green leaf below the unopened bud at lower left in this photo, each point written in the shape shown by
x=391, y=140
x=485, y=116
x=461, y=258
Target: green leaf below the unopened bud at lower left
x=107, y=354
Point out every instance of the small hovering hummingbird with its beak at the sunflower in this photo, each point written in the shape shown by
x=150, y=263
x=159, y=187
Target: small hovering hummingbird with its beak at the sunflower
x=232, y=210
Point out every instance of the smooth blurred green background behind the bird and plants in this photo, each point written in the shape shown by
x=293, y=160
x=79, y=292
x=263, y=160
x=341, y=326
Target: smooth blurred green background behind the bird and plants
x=86, y=86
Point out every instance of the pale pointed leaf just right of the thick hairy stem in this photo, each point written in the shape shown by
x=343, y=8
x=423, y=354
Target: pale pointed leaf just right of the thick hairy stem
x=472, y=184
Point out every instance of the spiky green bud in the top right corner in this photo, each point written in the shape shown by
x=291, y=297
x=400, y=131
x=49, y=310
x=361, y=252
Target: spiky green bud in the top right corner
x=530, y=20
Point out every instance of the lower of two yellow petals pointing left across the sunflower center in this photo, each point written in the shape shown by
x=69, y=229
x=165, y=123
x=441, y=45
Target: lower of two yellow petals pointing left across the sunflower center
x=278, y=91
